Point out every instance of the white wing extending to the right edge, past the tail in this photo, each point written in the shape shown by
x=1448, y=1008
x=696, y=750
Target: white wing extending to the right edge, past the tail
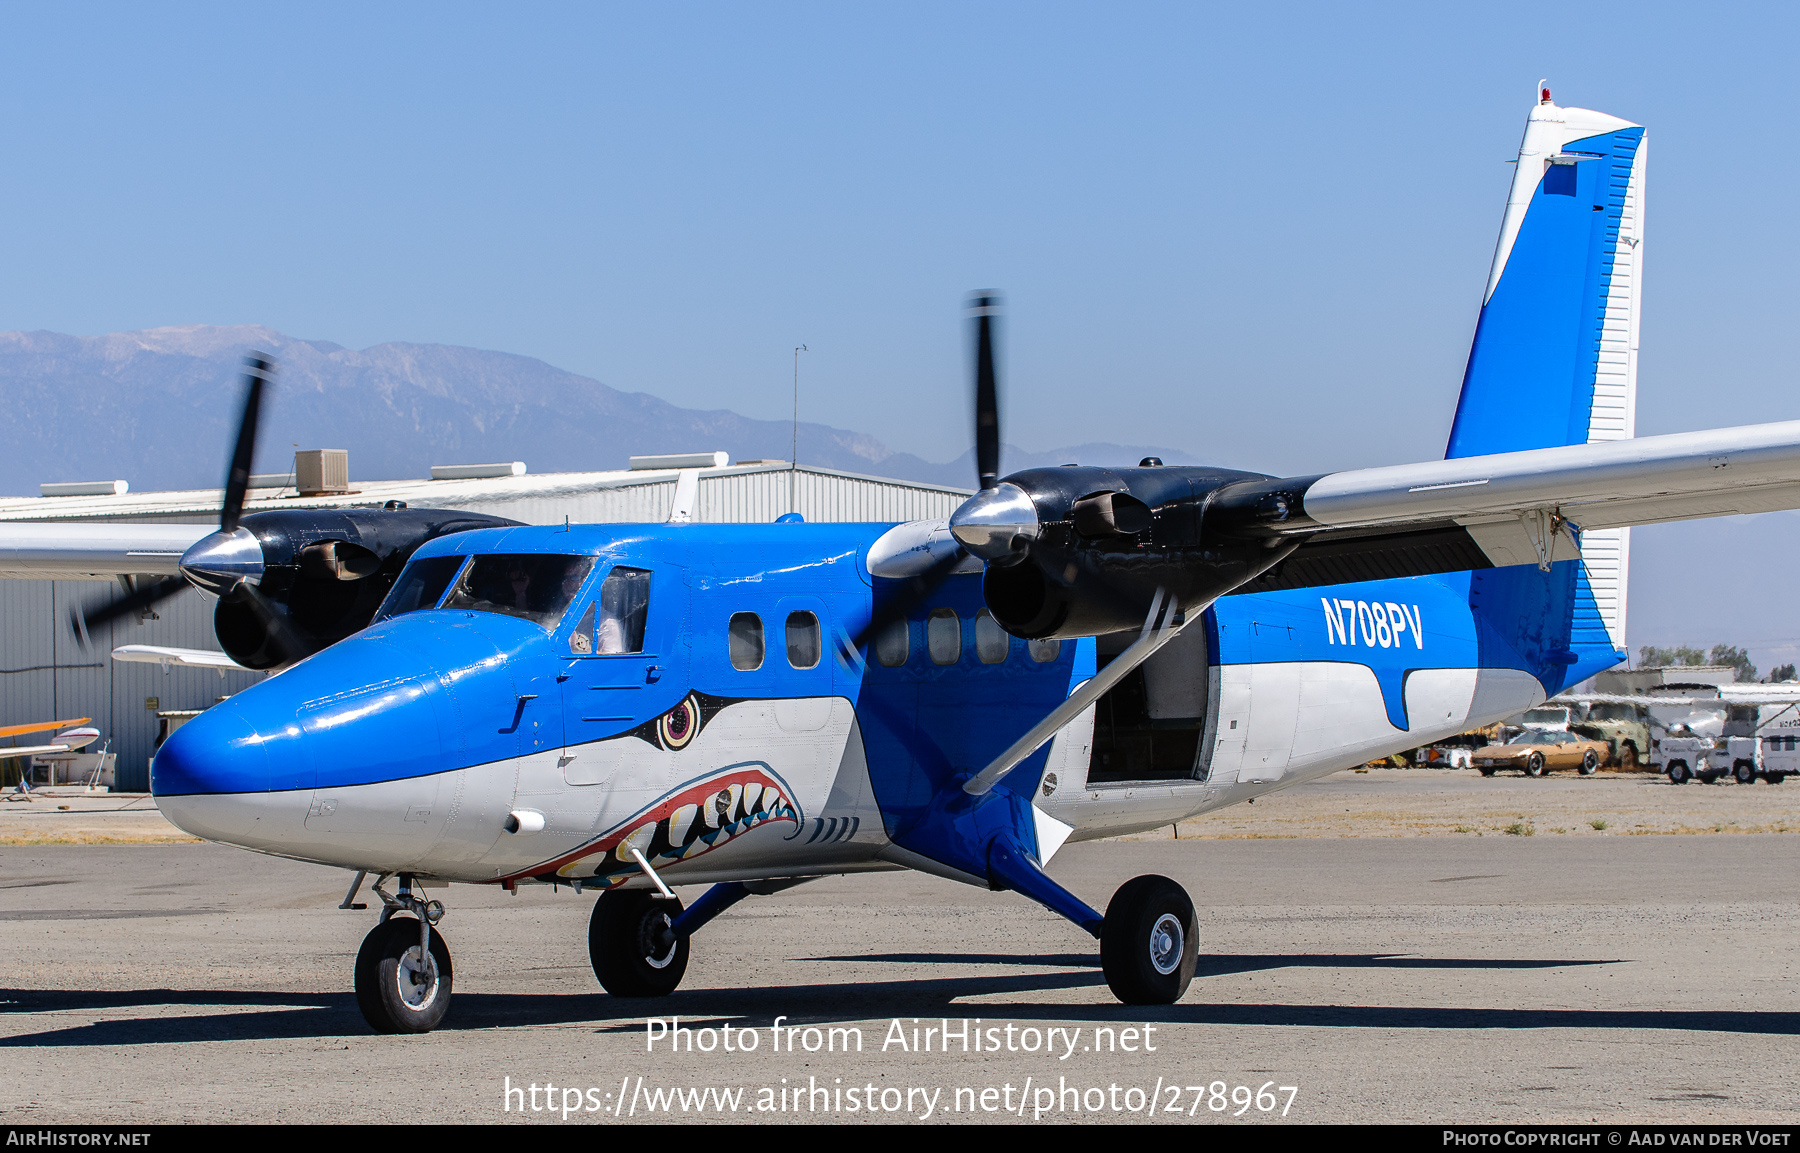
x=1515, y=508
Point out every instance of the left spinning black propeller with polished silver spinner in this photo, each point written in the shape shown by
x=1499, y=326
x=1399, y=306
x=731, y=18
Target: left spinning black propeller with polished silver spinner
x=228, y=564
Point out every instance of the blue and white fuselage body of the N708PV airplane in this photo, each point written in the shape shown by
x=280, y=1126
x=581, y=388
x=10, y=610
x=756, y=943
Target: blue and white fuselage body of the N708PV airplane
x=760, y=618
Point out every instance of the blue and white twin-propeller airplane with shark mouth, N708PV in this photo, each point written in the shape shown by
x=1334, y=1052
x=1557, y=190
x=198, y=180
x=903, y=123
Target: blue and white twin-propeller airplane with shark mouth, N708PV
x=1075, y=654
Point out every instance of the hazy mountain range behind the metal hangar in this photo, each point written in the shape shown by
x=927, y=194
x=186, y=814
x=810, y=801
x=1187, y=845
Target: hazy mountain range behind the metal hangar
x=157, y=409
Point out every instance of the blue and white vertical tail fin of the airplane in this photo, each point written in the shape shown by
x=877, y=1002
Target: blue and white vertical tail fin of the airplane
x=1556, y=348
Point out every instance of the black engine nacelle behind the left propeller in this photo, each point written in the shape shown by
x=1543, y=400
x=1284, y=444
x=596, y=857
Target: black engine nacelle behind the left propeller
x=327, y=571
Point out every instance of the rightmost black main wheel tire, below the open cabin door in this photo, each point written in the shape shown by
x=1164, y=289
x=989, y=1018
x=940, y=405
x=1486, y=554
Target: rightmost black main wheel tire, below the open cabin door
x=1149, y=942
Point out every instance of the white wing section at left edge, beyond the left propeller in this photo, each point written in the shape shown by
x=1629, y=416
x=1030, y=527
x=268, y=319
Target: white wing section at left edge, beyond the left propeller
x=103, y=551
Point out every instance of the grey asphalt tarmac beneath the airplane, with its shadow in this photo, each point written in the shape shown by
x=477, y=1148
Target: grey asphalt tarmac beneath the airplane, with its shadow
x=1387, y=979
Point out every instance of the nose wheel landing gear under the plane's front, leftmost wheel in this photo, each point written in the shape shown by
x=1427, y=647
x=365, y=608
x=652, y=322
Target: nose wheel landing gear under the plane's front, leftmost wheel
x=404, y=969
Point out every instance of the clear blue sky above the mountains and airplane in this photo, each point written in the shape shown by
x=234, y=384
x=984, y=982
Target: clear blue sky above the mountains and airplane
x=1257, y=233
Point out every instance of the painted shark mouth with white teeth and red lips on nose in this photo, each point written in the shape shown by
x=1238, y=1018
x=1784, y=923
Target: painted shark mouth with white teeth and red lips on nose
x=683, y=827
